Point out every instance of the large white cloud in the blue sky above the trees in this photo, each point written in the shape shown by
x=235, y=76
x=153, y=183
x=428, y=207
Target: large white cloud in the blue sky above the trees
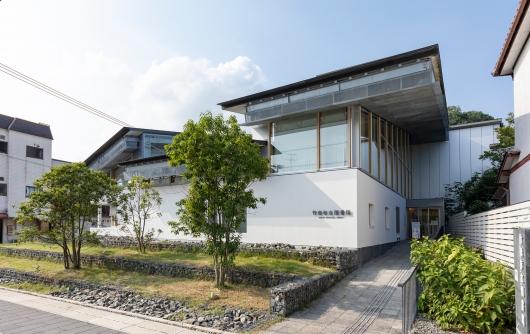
x=180, y=88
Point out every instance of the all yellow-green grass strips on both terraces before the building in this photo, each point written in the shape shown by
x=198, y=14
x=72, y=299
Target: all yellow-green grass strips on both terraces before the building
x=195, y=292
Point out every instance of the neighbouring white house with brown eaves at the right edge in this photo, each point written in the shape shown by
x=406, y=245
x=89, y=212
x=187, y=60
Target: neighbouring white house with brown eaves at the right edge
x=514, y=60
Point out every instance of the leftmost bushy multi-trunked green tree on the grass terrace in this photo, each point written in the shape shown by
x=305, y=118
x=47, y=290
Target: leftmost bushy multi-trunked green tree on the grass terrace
x=68, y=198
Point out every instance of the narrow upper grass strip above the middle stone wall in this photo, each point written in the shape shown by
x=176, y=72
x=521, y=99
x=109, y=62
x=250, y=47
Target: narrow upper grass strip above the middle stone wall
x=199, y=259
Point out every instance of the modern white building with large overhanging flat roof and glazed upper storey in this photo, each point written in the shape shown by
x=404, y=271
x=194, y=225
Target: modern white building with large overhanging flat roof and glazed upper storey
x=356, y=155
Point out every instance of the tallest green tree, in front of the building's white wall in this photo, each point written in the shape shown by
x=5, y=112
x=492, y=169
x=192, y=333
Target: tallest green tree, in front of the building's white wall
x=221, y=163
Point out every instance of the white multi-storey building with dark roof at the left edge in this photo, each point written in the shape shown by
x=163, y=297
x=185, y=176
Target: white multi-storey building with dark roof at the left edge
x=25, y=153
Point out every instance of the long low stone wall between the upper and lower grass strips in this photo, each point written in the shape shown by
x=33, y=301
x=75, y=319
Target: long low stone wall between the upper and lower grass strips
x=256, y=278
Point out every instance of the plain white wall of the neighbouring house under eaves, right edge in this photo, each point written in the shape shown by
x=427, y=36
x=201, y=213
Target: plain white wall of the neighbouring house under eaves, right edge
x=519, y=185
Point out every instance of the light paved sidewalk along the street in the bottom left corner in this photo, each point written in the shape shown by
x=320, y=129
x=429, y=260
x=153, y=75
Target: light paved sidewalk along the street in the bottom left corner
x=30, y=313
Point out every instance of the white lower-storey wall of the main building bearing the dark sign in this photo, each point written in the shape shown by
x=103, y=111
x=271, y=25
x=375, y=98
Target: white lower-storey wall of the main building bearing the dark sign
x=291, y=199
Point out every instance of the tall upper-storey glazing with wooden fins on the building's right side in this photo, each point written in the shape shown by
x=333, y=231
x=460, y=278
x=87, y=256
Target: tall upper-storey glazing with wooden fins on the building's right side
x=385, y=152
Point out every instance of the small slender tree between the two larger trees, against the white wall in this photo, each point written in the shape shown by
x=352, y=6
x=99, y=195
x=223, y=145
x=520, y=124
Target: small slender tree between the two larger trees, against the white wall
x=136, y=205
